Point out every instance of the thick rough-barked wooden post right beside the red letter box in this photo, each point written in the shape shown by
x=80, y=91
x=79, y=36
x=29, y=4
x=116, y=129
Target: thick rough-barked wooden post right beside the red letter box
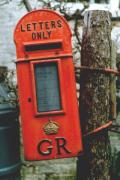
x=94, y=96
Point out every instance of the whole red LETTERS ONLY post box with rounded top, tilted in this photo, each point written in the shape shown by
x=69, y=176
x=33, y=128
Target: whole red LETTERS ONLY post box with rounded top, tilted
x=47, y=89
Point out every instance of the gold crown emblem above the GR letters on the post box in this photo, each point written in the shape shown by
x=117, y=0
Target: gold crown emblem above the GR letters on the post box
x=51, y=127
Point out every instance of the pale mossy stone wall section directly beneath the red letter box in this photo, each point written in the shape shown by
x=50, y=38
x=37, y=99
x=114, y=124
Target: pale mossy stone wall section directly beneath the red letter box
x=62, y=169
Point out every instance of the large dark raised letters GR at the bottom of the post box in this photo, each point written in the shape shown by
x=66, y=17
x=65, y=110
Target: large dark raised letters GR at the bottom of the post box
x=45, y=146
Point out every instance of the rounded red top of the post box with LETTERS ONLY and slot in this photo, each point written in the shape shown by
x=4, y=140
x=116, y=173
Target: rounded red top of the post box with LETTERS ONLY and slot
x=42, y=33
